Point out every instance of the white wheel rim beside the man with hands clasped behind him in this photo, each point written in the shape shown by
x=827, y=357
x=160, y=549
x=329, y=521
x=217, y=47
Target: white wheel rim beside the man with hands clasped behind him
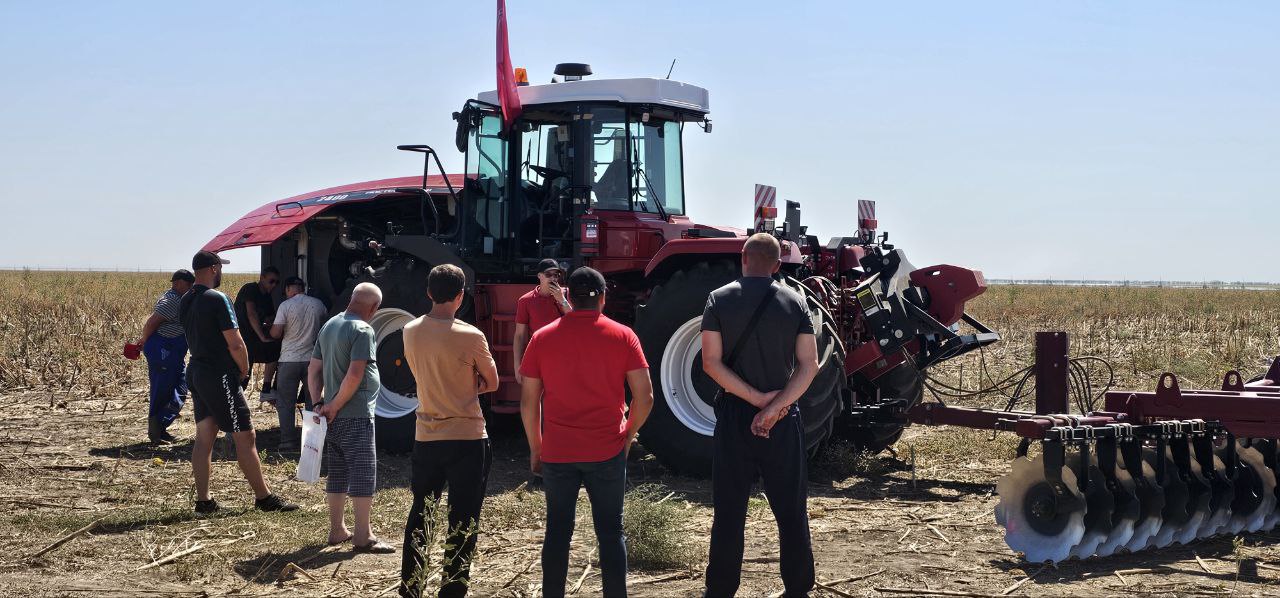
x=678, y=381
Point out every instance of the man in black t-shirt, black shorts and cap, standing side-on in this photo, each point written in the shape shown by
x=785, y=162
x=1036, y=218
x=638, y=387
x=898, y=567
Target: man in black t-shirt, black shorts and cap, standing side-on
x=217, y=376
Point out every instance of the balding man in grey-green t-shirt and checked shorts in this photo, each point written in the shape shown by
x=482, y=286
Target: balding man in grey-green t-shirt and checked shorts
x=342, y=378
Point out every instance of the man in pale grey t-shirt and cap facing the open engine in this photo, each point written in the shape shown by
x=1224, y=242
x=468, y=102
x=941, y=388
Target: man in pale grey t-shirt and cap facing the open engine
x=296, y=326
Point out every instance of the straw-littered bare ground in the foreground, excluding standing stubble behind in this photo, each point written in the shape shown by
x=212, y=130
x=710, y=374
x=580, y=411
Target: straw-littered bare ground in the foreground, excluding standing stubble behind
x=880, y=528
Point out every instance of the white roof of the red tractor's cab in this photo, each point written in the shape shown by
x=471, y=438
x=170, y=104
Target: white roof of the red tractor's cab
x=666, y=93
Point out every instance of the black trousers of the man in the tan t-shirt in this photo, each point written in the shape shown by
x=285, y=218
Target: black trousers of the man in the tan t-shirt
x=464, y=467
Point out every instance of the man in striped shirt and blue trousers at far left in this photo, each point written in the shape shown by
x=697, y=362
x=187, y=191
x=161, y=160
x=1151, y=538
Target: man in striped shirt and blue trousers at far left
x=166, y=349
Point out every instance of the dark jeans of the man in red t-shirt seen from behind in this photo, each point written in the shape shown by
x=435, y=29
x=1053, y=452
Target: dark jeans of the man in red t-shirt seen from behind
x=606, y=483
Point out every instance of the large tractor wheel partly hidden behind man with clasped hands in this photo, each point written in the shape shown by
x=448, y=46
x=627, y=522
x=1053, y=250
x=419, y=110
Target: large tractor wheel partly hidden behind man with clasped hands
x=679, y=432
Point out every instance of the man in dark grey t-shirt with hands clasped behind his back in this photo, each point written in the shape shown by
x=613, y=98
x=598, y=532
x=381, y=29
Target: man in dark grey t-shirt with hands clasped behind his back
x=770, y=364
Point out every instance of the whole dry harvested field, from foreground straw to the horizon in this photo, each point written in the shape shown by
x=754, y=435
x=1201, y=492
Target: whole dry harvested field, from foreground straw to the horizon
x=89, y=509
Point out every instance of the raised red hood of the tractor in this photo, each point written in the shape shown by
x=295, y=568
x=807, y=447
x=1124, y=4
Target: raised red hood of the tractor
x=278, y=218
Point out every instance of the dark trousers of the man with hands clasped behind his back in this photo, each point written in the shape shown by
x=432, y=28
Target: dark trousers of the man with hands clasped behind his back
x=739, y=459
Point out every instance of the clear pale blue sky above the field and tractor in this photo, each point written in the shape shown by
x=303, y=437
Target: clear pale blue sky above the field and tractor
x=1067, y=140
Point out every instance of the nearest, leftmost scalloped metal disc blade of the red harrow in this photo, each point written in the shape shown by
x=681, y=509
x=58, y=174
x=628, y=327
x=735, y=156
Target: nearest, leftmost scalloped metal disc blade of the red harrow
x=1032, y=524
